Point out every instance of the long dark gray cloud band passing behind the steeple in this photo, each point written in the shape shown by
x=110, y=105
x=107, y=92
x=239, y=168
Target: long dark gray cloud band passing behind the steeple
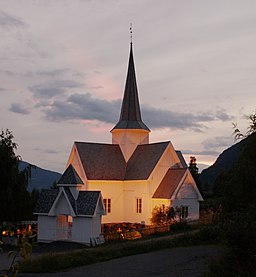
x=84, y=106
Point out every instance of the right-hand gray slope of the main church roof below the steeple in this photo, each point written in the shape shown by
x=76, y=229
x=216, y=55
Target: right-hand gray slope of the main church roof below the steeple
x=143, y=160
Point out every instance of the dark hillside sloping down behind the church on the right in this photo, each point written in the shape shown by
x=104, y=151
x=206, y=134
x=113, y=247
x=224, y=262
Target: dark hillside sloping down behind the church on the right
x=224, y=162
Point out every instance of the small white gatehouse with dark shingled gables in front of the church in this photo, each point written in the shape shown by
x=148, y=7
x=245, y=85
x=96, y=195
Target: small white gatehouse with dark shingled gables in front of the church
x=69, y=214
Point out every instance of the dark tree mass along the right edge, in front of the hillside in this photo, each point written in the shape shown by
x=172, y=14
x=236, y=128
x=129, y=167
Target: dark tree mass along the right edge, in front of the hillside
x=236, y=190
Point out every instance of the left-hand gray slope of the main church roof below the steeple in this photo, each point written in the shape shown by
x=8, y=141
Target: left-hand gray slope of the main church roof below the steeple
x=101, y=161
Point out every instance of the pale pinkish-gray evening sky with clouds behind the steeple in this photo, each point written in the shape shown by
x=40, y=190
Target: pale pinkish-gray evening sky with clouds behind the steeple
x=63, y=67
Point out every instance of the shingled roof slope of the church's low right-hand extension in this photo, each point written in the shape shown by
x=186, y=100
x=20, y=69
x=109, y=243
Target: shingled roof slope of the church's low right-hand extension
x=169, y=183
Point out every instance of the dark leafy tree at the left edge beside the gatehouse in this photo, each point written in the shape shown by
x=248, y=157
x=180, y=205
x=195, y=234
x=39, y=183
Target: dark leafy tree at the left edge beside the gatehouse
x=15, y=200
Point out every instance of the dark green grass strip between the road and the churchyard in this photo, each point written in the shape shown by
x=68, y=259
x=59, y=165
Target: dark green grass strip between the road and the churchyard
x=61, y=262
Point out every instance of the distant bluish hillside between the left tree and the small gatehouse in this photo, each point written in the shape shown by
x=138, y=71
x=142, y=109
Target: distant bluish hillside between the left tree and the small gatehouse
x=40, y=178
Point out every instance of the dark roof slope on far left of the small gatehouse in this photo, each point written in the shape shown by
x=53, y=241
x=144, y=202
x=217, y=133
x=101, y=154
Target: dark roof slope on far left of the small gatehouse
x=46, y=200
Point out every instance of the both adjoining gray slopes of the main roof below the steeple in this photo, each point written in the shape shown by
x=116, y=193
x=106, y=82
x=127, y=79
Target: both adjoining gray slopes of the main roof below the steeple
x=106, y=162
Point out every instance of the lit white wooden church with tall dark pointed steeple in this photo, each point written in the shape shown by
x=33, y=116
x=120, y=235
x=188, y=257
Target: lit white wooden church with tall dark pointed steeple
x=133, y=175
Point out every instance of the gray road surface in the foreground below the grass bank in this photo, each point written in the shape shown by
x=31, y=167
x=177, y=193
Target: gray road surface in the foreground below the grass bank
x=183, y=261
